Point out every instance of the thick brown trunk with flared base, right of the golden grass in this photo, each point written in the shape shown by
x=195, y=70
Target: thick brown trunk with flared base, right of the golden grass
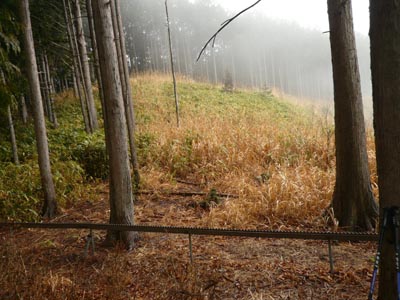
x=353, y=202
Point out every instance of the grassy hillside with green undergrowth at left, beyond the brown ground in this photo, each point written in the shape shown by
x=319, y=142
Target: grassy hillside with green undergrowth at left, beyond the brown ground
x=277, y=156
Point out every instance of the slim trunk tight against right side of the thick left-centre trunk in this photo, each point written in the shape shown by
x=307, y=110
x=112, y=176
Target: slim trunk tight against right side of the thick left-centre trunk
x=129, y=111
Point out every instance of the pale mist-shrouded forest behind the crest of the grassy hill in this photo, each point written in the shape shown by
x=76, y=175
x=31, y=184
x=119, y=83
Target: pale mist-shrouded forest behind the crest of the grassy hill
x=254, y=50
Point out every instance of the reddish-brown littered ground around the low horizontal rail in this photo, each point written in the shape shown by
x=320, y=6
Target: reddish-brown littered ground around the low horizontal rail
x=50, y=264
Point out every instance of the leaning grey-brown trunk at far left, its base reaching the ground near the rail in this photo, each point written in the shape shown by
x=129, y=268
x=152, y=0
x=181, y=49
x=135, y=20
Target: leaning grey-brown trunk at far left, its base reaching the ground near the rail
x=50, y=204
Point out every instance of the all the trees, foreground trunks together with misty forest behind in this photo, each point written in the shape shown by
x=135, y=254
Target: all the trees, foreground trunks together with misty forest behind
x=78, y=43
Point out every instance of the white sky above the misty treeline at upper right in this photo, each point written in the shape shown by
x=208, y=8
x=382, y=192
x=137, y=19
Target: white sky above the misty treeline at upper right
x=307, y=13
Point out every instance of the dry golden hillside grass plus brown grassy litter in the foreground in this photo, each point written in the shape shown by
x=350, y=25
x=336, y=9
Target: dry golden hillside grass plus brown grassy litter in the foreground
x=279, y=159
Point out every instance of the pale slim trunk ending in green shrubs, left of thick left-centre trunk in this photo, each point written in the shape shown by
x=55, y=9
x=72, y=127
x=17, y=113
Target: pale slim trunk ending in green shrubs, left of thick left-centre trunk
x=85, y=66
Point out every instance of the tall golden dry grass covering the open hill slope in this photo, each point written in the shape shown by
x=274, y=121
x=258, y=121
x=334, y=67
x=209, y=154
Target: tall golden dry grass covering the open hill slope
x=277, y=155
